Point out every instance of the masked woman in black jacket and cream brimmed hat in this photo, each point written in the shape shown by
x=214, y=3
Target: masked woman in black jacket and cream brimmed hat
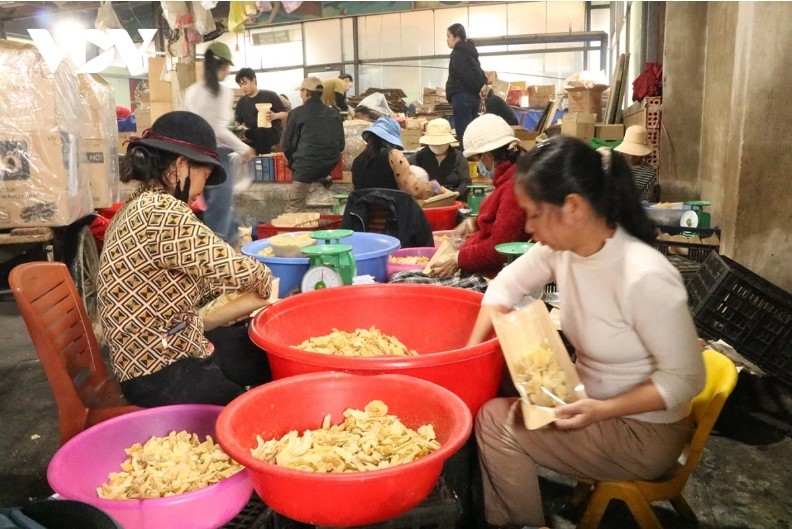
x=440, y=159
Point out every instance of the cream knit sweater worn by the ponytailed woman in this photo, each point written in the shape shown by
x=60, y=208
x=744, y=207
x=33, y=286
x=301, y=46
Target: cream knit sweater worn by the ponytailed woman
x=625, y=311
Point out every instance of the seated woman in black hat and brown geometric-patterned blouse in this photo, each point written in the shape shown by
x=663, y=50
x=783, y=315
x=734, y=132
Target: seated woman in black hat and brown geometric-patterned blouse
x=160, y=264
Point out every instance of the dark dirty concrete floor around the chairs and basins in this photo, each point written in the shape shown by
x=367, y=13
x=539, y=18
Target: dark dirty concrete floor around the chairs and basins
x=744, y=480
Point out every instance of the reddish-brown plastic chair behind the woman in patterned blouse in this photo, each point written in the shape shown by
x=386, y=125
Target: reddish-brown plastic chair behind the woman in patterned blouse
x=66, y=345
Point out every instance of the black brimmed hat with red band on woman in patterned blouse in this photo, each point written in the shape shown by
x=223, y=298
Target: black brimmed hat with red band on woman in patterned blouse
x=188, y=134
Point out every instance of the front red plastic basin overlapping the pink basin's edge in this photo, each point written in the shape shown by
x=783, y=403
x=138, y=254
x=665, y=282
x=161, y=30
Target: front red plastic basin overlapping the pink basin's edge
x=350, y=498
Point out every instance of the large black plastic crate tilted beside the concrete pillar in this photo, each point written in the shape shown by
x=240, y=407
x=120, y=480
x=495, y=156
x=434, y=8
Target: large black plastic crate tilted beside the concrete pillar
x=754, y=316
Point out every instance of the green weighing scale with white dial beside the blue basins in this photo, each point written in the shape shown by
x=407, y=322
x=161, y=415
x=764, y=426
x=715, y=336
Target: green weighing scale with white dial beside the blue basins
x=330, y=264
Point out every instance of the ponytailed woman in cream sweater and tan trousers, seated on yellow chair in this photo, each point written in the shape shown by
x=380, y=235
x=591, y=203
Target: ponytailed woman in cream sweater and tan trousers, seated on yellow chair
x=624, y=309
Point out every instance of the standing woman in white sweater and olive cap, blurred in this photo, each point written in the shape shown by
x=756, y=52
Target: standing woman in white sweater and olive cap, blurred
x=214, y=102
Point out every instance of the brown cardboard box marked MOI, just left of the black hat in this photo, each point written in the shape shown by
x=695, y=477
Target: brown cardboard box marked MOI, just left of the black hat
x=99, y=160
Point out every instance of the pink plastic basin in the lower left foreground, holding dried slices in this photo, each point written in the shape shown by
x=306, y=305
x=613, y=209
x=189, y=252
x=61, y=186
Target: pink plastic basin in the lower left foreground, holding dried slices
x=81, y=465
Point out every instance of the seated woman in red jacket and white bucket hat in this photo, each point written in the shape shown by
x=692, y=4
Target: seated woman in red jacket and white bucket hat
x=490, y=139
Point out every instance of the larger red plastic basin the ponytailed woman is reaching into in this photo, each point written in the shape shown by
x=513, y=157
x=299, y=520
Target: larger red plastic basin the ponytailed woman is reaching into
x=435, y=321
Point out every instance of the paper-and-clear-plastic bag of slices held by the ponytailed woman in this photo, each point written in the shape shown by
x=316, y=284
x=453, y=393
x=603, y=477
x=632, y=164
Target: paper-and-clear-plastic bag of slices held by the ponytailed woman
x=538, y=363
